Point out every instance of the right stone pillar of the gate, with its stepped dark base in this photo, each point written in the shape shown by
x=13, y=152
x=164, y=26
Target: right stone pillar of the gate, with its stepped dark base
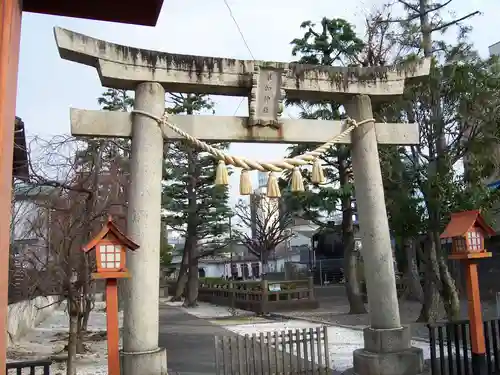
x=388, y=349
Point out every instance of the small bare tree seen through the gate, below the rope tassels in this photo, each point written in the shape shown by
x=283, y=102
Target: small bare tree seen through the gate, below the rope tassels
x=269, y=226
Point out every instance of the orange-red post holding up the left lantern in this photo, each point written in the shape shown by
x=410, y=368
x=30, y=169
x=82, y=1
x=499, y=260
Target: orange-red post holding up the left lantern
x=112, y=326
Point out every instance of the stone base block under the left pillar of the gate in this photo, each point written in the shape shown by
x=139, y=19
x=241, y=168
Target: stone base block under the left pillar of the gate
x=144, y=363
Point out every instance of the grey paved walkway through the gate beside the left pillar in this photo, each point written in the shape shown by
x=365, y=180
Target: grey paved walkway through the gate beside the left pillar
x=189, y=341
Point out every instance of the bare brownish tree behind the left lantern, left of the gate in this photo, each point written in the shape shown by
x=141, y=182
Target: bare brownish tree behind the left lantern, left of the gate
x=87, y=185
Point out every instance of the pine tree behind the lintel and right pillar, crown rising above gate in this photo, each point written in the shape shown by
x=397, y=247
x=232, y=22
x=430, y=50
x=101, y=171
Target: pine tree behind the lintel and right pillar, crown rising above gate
x=332, y=42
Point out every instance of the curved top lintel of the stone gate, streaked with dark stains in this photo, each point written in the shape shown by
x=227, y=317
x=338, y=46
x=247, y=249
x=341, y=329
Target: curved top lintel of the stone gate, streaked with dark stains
x=123, y=67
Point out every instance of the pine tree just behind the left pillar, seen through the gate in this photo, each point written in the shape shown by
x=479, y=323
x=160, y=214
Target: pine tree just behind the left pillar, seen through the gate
x=193, y=204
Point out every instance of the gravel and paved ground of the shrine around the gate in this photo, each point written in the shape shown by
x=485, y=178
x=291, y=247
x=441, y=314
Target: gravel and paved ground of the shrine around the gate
x=188, y=334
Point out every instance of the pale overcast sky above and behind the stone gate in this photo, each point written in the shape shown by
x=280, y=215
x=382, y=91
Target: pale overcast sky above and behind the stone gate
x=49, y=86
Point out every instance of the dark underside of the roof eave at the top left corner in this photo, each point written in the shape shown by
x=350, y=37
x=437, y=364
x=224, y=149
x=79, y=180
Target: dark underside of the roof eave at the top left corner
x=145, y=12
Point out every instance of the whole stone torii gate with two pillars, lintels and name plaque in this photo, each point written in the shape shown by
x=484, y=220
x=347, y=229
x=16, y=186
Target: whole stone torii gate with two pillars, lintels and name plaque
x=387, y=347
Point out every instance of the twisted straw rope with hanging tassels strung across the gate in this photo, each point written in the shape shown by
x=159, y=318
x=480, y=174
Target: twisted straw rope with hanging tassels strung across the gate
x=247, y=165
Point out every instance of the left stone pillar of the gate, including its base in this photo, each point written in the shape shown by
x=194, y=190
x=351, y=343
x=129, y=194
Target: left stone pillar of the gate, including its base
x=141, y=354
